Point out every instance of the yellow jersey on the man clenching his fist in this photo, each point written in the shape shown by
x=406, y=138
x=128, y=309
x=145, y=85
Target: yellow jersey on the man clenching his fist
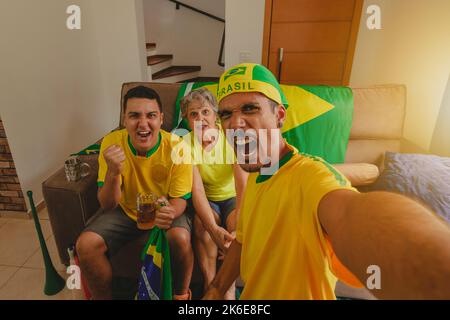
x=155, y=172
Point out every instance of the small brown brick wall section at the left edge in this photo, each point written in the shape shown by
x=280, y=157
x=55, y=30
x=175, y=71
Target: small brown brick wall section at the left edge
x=11, y=196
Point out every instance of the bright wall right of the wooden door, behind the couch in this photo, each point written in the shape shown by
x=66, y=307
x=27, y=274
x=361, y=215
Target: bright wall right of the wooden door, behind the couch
x=413, y=47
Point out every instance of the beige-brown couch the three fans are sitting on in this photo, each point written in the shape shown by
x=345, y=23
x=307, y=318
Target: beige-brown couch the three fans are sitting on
x=377, y=127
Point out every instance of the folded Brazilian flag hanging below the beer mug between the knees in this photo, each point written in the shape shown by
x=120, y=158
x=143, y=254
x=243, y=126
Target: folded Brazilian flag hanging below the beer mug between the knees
x=155, y=280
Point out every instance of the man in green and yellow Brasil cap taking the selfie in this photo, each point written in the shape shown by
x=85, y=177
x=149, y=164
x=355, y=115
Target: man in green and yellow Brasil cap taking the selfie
x=297, y=220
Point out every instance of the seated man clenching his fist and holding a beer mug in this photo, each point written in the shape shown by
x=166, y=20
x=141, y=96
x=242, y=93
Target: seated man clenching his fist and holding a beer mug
x=134, y=160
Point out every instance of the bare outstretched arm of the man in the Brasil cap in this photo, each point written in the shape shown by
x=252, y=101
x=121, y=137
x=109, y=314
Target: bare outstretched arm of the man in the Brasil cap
x=404, y=239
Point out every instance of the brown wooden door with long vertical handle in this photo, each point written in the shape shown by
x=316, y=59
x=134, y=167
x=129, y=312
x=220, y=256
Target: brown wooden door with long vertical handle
x=318, y=38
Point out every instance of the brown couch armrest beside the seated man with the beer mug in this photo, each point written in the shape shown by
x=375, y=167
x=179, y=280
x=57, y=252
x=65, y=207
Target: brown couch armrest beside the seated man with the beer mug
x=70, y=205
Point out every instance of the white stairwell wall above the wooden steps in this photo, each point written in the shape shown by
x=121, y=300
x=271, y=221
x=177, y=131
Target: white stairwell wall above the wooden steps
x=192, y=38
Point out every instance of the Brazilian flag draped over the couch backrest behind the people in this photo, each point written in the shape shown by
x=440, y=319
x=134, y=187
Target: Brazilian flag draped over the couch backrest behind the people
x=318, y=122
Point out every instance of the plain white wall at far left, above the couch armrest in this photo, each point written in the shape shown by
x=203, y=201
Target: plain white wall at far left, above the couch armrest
x=60, y=89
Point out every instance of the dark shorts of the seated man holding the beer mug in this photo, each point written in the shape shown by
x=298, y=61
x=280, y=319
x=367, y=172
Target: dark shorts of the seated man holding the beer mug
x=117, y=229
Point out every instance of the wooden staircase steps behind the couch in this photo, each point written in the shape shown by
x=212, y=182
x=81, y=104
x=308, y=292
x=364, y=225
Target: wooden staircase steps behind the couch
x=160, y=68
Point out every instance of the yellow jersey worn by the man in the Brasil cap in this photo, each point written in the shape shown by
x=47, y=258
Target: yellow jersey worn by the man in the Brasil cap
x=285, y=252
